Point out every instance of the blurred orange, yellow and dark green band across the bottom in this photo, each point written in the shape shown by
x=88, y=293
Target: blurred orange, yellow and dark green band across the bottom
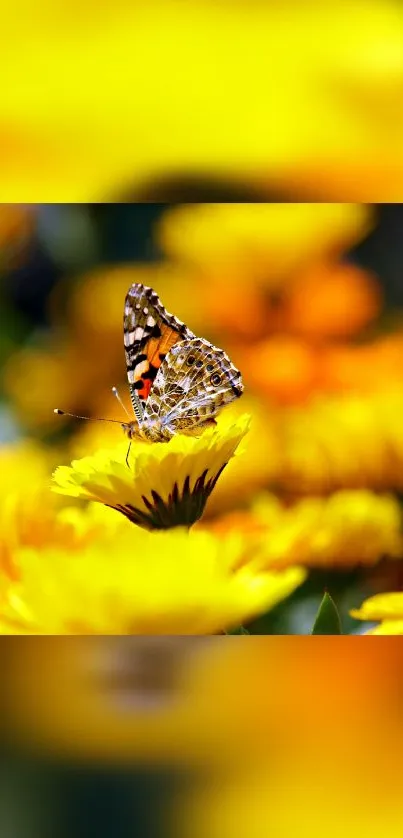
x=200, y=737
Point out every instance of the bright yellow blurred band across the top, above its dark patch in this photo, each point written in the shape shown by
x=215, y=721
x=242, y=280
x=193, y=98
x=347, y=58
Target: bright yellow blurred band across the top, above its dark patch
x=98, y=100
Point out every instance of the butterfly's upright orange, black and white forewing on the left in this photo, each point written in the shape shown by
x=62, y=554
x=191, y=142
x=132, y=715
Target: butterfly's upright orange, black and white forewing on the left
x=149, y=333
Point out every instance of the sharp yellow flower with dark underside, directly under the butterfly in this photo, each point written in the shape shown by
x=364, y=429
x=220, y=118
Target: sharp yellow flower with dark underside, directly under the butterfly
x=165, y=484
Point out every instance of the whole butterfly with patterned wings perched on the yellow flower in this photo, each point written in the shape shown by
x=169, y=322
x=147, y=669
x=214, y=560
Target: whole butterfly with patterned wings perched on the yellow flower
x=178, y=382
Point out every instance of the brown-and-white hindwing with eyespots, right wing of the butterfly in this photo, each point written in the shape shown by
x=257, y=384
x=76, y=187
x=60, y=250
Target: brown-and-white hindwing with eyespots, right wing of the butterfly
x=194, y=382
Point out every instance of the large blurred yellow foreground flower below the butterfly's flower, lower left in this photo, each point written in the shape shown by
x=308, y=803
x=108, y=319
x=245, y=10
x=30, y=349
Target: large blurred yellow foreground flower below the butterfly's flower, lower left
x=140, y=583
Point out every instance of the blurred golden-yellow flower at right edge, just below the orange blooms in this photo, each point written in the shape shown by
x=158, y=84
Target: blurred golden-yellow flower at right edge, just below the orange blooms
x=348, y=442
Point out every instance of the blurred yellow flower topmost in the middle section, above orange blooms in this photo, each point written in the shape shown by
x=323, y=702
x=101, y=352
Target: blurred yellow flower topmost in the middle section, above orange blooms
x=252, y=241
